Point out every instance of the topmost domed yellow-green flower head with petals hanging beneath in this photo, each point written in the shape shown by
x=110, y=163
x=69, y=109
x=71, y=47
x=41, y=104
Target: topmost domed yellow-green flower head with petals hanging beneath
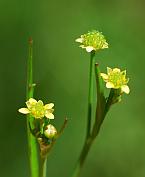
x=93, y=40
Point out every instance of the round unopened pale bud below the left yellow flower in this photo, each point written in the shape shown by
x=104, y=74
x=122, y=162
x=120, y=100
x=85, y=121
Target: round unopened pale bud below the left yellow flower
x=50, y=131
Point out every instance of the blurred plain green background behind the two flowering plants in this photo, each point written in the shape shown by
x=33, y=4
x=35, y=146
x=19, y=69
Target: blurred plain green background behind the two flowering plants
x=61, y=74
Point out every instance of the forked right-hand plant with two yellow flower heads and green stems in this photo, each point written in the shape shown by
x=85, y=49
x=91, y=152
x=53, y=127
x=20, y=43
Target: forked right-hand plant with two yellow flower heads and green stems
x=115, y=80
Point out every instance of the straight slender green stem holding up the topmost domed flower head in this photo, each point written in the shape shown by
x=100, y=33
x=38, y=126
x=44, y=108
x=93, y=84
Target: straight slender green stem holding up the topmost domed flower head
x=90, y=95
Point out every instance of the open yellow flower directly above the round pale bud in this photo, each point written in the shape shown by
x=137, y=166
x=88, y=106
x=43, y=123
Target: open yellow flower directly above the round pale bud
x=38, y=109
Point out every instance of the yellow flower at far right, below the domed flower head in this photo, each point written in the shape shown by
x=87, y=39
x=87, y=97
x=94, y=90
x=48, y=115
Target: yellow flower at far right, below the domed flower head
x=116, y=79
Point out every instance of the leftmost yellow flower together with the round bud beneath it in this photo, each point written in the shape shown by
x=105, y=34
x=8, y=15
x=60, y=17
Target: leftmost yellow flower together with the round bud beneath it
x=42, y=113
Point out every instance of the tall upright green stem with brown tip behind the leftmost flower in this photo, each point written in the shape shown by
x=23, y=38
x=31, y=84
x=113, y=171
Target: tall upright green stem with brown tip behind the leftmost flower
x=32, y=144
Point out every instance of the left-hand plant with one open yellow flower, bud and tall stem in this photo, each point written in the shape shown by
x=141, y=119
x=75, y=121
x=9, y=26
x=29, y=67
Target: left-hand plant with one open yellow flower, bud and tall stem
x=39, y=129
